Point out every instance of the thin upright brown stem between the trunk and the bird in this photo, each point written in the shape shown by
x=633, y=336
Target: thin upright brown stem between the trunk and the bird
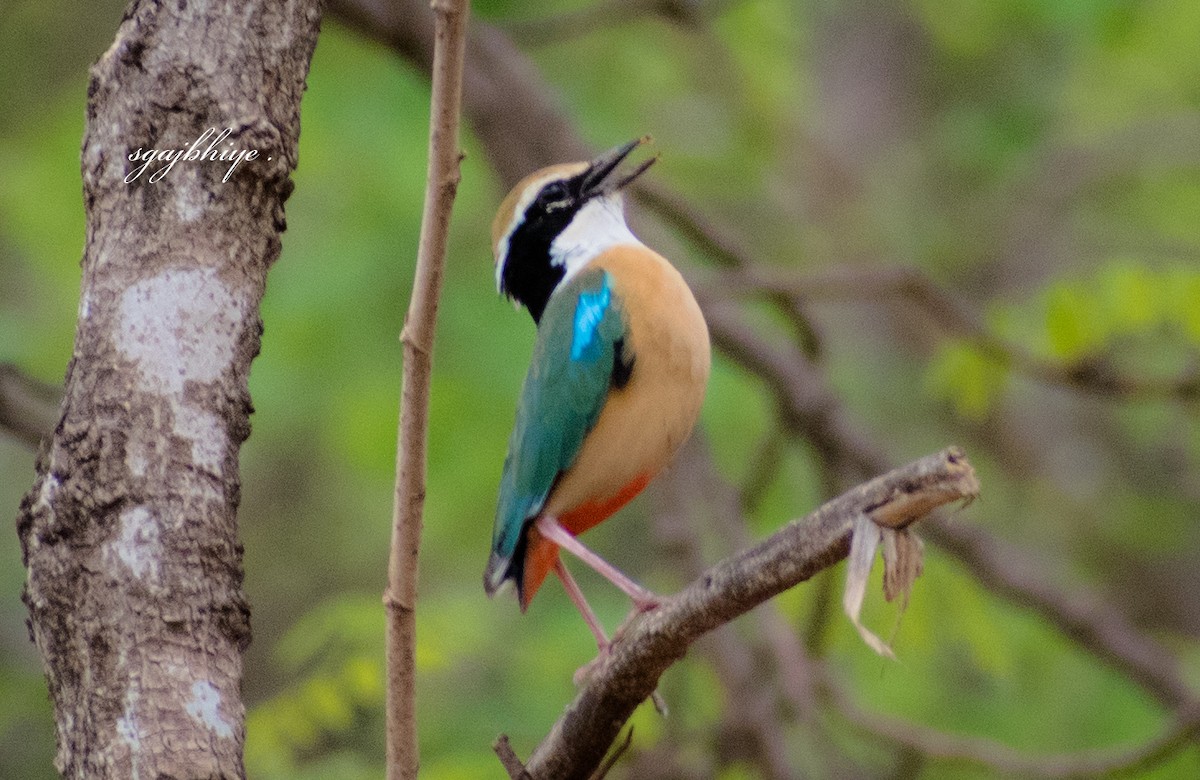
x=415, y=398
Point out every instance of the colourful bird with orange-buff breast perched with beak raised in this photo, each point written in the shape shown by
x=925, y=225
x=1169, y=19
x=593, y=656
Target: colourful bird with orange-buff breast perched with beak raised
x=616, y=382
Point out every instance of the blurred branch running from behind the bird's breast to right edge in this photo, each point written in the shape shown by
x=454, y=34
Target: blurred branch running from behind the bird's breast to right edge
x=1095, y=376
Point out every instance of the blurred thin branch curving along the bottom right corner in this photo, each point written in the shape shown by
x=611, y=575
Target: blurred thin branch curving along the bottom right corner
x=1004, y=760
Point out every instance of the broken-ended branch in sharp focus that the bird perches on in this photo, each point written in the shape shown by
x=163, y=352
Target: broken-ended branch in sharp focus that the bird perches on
x=653, y=641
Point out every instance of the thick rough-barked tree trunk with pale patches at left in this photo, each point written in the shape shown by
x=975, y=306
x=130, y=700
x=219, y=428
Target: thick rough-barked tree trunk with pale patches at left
x=130, y=531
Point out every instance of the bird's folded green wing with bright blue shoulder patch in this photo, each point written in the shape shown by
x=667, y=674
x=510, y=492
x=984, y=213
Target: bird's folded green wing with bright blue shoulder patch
x=577, y=358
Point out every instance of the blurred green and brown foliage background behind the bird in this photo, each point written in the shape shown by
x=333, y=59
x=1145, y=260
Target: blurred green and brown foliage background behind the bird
x=1033, y=170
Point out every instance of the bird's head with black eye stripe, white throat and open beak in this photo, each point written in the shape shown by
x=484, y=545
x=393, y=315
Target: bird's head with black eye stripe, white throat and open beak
x=556, y=220
